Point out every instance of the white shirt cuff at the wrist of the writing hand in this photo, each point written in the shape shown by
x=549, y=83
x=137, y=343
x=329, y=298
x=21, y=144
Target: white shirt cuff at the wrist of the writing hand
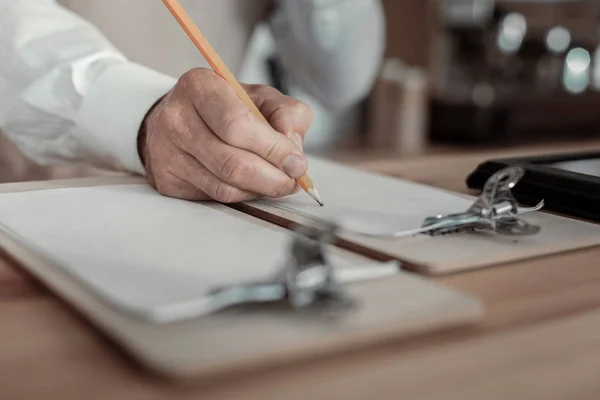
x=115, y=106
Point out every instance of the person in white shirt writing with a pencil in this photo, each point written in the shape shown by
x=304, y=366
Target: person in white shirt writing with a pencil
x=99, y=89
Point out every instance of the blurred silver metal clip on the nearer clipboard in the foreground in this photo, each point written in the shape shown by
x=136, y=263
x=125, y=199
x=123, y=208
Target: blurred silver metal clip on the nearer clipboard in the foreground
x=307, y=280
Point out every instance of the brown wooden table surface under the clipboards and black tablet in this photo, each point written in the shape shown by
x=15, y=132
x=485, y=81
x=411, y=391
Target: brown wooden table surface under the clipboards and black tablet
x=540, y=339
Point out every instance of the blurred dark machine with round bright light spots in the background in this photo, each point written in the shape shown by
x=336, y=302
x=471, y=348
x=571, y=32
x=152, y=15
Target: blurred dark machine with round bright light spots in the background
x=514, y=70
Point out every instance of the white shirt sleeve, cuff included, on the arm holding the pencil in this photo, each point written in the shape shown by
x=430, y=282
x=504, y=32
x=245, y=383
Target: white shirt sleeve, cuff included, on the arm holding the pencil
x=66, y=94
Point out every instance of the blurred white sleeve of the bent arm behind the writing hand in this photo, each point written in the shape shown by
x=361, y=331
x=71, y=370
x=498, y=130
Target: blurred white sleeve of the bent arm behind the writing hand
x=341, y=43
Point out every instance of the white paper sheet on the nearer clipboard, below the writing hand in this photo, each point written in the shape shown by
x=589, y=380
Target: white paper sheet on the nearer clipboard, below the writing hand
x=142, y=252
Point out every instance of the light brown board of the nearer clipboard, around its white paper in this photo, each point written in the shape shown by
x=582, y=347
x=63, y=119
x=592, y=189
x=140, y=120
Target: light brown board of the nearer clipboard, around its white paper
x=252, y=337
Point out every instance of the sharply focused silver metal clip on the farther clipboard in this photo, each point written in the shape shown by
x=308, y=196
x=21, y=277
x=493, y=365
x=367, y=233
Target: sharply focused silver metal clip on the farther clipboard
x=495, y=210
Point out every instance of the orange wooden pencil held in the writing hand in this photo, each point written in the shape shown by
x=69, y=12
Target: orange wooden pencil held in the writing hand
x=220, y=68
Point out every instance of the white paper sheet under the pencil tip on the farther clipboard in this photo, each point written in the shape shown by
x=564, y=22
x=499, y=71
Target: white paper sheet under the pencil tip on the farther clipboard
x=367, y=203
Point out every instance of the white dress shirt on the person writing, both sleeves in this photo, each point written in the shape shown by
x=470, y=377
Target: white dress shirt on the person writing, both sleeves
x=68, y=95
